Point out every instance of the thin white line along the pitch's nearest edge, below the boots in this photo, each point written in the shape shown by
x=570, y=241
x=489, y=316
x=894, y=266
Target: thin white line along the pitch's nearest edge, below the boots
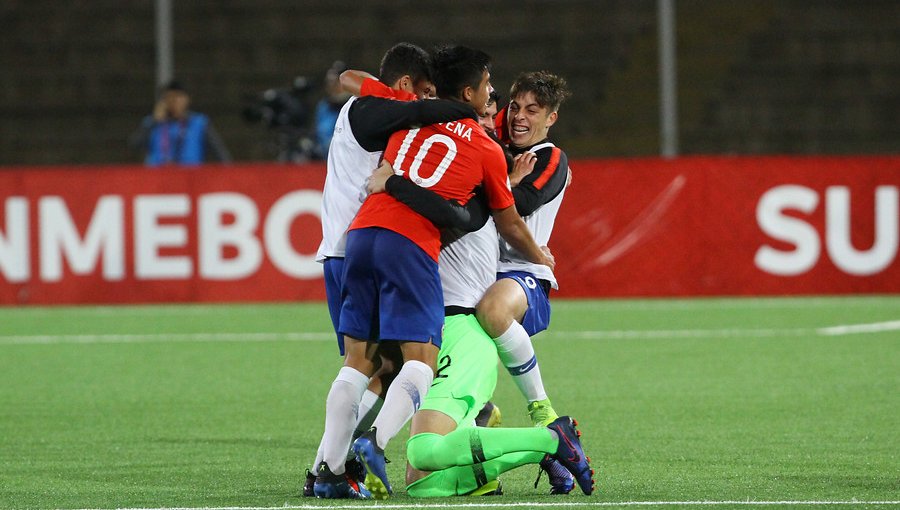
x=597, y=504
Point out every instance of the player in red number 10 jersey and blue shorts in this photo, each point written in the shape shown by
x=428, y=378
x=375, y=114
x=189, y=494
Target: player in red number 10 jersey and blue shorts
x=392, y=289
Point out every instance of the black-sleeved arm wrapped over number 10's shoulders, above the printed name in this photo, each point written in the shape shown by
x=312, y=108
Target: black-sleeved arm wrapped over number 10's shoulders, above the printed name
x=374, y=119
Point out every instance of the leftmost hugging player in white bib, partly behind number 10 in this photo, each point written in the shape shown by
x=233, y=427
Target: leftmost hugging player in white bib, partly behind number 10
x=362, y=129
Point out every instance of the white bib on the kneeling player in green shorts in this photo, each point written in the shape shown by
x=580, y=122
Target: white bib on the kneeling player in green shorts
x=468, y=266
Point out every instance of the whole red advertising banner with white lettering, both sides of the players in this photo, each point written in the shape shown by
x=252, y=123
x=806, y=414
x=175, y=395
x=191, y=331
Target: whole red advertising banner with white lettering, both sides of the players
x=627, y=227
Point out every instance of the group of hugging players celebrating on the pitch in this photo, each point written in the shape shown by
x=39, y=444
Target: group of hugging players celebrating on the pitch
x=437, y=210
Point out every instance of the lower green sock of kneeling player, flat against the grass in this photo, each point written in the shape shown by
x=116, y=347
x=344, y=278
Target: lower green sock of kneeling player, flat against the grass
x=461, y=480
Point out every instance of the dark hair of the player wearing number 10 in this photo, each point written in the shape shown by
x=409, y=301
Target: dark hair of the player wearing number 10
x=458, y=67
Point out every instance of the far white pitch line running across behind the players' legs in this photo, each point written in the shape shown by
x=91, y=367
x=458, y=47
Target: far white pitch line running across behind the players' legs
x=115, y=338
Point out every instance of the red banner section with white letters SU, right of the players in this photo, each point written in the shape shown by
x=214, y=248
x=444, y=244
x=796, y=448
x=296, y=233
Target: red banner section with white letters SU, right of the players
x=729, y=226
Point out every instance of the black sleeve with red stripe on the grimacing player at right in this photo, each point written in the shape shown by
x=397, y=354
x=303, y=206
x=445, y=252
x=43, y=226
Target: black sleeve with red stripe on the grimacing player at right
x=544, y=183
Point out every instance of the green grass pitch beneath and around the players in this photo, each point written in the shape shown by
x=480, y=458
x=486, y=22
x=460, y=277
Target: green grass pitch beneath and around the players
x=211, y=406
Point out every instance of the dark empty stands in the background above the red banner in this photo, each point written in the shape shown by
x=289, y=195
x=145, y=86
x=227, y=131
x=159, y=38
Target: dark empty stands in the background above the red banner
x=767, y=76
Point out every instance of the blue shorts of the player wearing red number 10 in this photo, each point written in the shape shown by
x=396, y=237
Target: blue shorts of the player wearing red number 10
x=392, y=290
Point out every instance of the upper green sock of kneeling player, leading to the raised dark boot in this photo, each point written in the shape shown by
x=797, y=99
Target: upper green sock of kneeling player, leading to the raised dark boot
x=471, y=445
